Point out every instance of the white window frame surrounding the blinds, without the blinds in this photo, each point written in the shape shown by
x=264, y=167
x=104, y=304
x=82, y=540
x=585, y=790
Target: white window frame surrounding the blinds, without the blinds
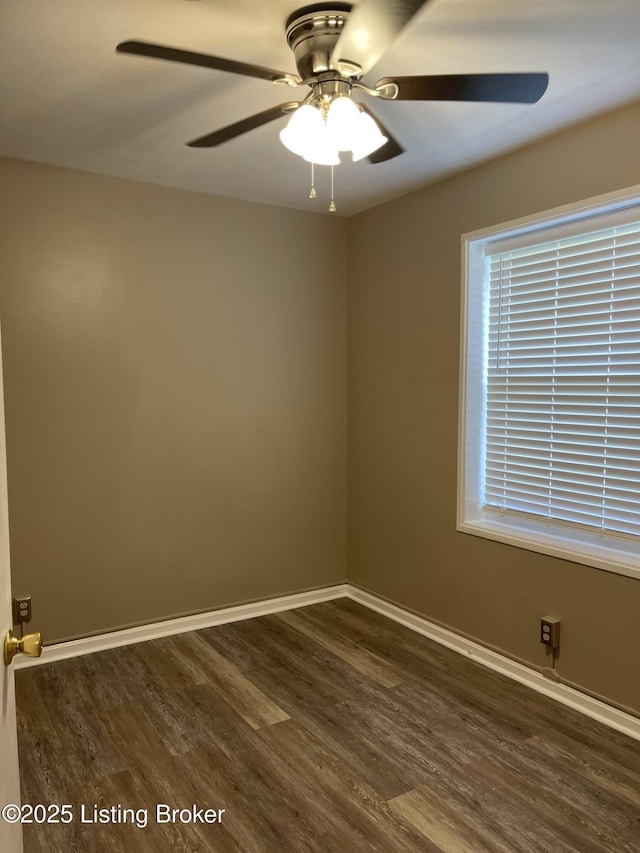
x=592, y=548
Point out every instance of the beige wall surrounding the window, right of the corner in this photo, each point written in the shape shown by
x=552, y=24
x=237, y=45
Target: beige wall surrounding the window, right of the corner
x=403, y=309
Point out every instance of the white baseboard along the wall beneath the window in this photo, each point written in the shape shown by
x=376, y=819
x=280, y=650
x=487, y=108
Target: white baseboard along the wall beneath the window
x=575, y=699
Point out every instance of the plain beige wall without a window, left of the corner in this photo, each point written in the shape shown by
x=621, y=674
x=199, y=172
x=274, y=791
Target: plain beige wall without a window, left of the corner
x=175, y=376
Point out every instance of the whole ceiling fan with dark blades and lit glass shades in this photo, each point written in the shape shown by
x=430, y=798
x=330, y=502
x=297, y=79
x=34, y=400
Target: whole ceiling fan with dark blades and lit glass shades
x=335, y=45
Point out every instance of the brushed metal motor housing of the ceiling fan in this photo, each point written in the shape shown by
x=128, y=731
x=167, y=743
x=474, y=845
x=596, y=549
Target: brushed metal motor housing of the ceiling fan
x=312, y=33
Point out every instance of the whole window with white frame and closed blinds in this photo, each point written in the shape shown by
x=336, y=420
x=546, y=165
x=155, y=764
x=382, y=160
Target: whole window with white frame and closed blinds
x=550, y=394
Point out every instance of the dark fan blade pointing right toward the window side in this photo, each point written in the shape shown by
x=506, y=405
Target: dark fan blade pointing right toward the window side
x=506, y=88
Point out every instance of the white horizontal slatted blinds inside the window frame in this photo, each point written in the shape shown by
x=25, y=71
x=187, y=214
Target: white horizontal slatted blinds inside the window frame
x=563, y=380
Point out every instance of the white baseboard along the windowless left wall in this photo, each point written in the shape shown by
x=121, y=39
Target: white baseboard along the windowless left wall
x=168, y=627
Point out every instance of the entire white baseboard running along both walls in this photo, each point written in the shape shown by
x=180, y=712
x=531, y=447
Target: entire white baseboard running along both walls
x=585, y=704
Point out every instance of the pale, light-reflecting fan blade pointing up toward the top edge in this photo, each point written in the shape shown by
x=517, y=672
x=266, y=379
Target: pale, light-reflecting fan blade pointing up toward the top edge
x=371, y=28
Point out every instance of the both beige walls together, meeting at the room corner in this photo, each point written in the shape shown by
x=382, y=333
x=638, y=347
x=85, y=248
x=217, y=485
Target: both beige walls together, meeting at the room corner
x=175, y=373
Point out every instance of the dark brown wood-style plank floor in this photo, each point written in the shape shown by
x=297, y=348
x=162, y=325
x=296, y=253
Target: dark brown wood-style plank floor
x=329, y=729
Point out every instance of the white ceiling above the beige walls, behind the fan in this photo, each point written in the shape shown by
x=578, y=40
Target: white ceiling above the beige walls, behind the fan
x=68, y=99
